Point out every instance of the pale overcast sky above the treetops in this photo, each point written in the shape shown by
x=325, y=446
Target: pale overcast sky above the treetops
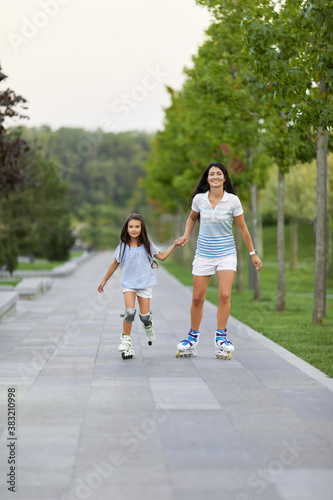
x=98, y=63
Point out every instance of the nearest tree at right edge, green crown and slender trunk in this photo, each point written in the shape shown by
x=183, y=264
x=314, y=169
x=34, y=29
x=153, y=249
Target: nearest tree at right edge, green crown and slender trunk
x=290, y=45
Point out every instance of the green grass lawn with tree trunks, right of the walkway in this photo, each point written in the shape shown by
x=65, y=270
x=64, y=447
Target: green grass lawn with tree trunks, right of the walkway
x=292, y=329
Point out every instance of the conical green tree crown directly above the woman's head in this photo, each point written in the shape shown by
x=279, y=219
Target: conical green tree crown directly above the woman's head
x=216, y=116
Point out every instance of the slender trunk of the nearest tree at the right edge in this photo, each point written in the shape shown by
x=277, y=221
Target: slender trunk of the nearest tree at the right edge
x=320, y=273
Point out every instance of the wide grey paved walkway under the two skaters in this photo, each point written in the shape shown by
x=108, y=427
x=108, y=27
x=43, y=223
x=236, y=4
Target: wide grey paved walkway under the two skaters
x=90, y=425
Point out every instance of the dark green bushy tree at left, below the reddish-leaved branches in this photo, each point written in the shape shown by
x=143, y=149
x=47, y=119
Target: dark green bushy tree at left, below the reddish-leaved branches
x=36, y=216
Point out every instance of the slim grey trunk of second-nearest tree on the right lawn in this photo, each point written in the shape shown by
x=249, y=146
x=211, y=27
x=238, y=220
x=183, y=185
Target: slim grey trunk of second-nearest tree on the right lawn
x=281, y=289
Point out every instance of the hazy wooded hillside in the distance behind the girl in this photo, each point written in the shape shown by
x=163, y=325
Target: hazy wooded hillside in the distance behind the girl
x=104, y=173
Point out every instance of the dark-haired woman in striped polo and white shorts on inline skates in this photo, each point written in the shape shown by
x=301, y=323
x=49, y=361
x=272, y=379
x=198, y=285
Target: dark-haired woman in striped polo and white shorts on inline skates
x=215, y=204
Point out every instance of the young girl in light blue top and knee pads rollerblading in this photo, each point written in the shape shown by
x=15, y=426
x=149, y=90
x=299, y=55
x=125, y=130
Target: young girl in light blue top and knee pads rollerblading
x=136, y=253
